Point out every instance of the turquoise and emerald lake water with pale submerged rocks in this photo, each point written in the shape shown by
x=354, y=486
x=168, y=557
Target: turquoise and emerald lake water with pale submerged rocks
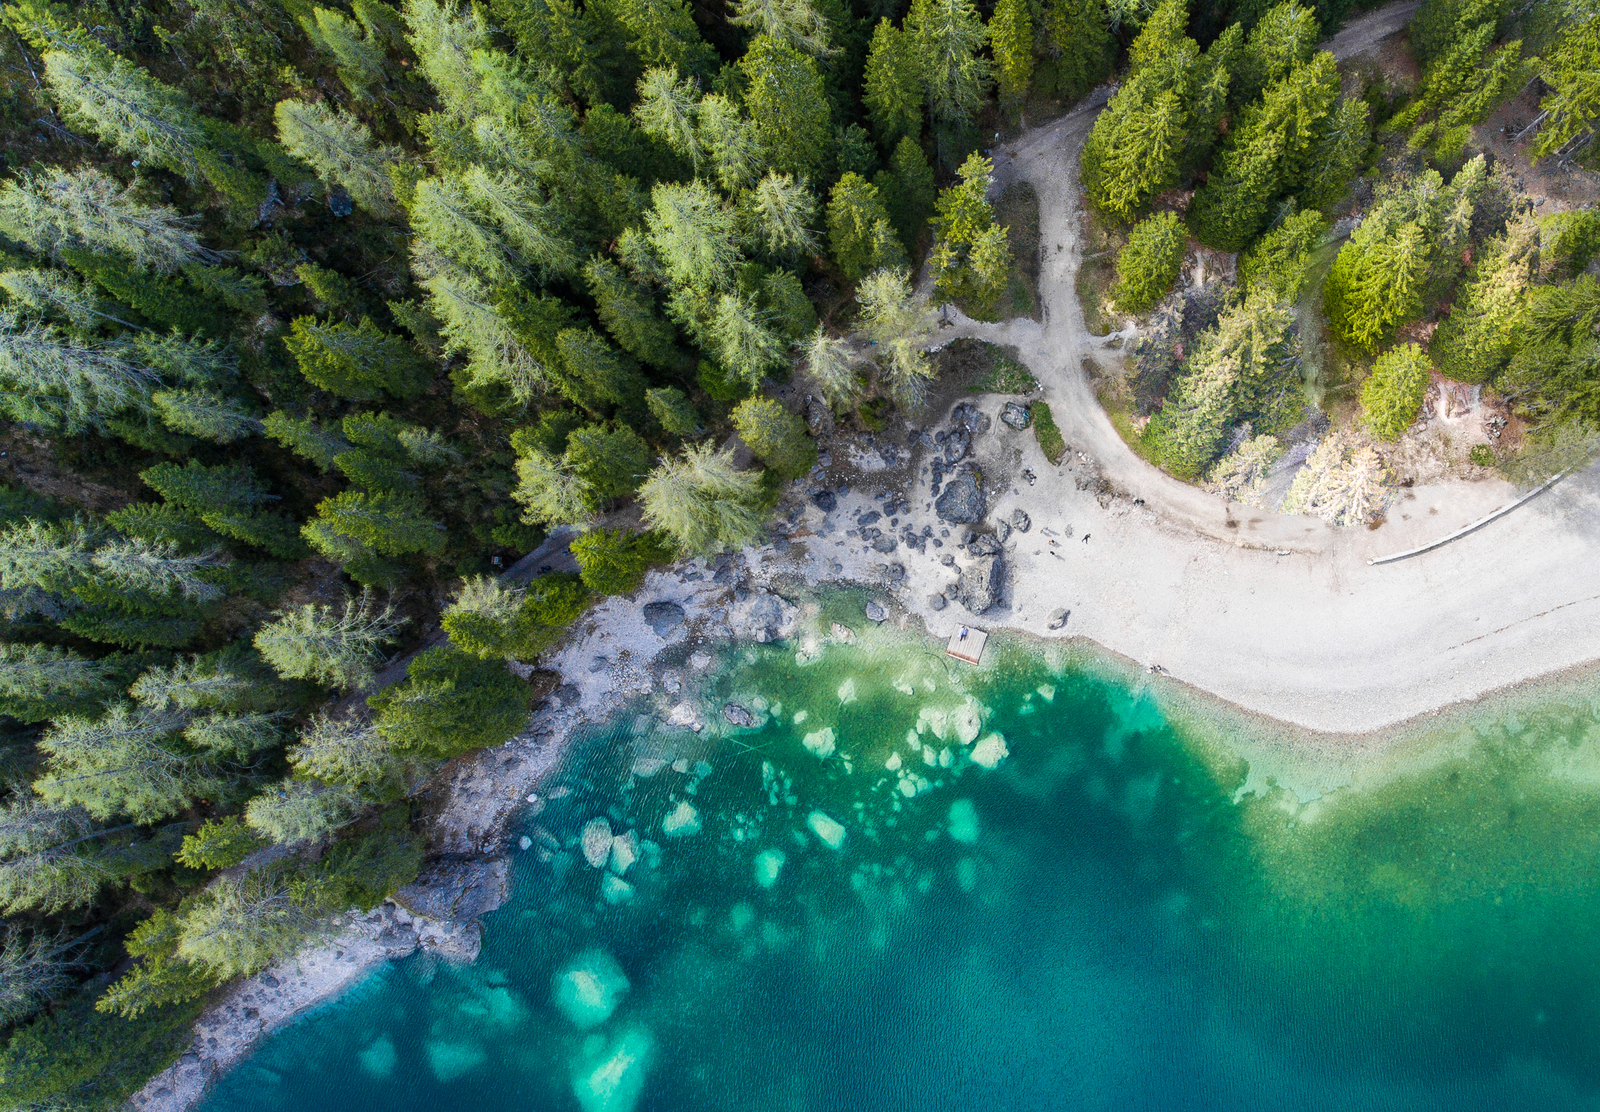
x=1100, y=921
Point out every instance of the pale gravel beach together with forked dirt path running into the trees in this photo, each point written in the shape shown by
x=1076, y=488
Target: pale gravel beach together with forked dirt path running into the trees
x=1278, y=614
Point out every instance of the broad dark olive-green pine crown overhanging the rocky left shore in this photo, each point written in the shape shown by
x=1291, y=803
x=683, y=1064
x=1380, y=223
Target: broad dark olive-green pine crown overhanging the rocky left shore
x=452, y=703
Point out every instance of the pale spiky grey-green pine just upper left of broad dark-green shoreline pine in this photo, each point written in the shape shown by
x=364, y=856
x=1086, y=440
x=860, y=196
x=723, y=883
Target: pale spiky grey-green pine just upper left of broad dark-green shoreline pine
x=334, y=646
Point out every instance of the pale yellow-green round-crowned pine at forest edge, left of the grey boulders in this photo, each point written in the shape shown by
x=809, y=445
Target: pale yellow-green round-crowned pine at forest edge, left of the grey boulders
x=702, y=503
